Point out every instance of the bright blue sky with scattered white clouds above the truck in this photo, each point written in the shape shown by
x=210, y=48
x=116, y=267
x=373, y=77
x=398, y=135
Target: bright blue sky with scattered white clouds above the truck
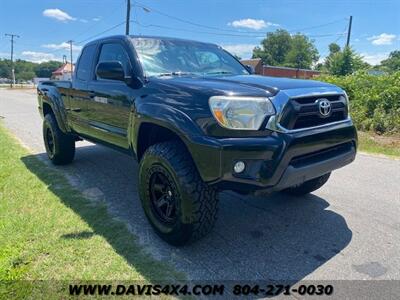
x=44, y=26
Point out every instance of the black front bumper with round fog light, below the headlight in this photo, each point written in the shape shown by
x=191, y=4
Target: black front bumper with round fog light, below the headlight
x=277, y=161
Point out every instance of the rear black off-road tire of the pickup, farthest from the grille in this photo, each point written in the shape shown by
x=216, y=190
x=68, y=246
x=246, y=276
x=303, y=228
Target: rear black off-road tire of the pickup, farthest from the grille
x=60, y=147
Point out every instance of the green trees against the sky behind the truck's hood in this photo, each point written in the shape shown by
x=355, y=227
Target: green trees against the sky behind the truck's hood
x=280, y=48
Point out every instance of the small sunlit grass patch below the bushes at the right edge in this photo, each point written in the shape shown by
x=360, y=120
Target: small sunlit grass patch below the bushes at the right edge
x=372, y=143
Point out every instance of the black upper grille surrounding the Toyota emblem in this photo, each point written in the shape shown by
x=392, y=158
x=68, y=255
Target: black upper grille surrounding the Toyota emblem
x=304, y=112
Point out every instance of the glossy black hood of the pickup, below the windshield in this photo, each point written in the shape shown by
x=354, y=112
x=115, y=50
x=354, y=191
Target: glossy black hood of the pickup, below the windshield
x=254, y=85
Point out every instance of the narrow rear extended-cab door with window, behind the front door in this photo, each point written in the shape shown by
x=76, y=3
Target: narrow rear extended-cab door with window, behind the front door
x=78, y=95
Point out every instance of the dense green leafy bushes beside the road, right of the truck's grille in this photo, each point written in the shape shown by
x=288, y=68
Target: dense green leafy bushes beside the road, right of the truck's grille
x=374, y=100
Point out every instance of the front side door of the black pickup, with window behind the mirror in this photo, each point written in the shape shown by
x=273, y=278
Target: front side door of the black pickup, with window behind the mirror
x=111, y=100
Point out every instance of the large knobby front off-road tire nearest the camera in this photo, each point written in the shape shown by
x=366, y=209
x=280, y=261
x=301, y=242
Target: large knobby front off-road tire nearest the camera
x=195, y=202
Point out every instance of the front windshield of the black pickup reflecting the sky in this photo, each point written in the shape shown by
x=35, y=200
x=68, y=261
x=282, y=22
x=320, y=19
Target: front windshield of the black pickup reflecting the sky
x=177, y=57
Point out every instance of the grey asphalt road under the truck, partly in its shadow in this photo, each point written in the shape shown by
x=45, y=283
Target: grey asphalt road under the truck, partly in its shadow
x=349, y=229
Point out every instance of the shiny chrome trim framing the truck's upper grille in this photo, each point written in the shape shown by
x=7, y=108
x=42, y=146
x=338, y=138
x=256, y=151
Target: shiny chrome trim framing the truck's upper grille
x=283, y=97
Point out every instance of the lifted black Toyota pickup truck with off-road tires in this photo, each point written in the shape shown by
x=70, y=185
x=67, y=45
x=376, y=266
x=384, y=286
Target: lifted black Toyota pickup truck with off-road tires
x=198, y=122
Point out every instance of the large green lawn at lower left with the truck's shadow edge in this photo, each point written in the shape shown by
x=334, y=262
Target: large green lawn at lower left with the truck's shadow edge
x=50, y=231
